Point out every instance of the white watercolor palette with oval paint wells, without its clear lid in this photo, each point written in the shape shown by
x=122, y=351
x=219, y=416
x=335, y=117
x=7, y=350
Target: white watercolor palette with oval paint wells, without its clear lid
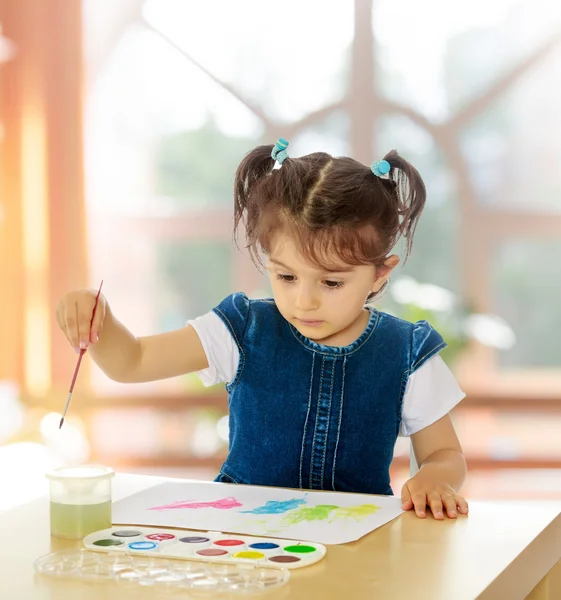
x=212, y=546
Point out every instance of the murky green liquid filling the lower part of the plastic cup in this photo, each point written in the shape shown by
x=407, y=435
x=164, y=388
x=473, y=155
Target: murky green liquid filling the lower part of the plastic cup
x=74, y=521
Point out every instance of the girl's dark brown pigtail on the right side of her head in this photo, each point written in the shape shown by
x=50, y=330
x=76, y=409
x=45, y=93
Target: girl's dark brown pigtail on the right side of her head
x=410, y=195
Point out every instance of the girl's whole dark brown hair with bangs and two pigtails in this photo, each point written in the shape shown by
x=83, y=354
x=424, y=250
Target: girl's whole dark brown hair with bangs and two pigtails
x=331, y=207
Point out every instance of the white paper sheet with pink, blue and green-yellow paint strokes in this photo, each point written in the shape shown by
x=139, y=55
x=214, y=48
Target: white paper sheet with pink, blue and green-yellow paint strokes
x=323, y=517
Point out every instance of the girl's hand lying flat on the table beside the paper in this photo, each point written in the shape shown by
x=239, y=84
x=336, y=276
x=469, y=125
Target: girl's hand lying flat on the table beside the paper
x=425, y=489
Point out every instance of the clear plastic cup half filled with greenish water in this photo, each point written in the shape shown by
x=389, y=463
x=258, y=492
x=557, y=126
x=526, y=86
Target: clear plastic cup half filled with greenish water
x=80, y=500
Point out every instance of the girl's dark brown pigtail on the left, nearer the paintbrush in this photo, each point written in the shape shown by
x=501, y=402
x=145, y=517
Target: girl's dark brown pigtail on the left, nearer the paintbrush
x=255, y=165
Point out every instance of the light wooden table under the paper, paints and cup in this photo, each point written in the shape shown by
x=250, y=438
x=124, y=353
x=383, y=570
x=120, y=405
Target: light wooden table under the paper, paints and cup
x=502, y=551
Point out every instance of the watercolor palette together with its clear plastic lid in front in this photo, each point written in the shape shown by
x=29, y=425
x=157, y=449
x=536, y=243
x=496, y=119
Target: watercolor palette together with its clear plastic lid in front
x=182, y=559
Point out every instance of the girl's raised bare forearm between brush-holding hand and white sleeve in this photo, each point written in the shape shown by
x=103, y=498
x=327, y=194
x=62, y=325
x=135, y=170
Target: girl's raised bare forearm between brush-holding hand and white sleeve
x=128, y=359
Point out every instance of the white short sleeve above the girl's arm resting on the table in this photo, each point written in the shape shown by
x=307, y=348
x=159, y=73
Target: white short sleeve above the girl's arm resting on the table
x=431, y=392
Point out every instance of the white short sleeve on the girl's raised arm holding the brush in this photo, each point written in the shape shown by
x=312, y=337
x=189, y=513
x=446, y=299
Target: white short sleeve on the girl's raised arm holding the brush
x=220, y=348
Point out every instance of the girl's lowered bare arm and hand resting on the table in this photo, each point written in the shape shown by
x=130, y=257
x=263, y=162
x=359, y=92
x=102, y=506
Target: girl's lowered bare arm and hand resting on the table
x=442, y=471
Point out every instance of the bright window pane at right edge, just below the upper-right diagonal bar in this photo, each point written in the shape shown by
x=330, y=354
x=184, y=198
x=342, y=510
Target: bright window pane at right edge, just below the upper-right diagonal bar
x=513, y=150
